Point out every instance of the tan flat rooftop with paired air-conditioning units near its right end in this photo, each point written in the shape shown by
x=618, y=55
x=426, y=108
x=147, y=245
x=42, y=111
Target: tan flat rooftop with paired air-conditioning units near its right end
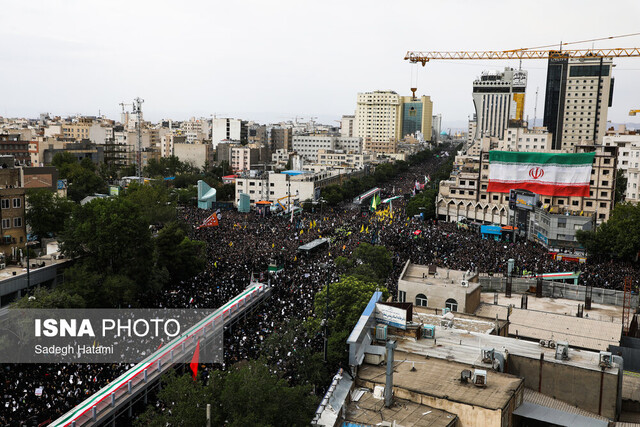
x=441, y=379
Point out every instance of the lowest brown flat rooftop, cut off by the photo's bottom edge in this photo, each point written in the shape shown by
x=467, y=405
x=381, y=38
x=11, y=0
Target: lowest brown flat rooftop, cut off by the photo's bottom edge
x=369, y=410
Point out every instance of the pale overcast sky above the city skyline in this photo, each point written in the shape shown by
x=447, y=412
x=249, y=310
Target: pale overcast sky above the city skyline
x=275, y=60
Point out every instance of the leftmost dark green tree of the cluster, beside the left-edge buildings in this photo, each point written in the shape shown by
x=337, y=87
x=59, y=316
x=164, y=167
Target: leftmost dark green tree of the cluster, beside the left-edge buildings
x=47, y=212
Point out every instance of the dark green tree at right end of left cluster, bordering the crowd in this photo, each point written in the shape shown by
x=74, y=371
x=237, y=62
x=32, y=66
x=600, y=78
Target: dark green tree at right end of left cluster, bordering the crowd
x=182, y=257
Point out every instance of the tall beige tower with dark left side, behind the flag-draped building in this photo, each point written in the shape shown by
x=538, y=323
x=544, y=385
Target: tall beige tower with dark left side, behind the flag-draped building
x=578, y=95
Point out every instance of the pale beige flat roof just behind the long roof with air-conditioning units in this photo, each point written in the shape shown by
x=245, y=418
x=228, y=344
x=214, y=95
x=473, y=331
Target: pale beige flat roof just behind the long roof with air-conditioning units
x=583, y=332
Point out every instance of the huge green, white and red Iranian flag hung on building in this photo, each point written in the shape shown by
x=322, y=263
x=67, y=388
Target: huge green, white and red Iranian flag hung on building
x=542, y=173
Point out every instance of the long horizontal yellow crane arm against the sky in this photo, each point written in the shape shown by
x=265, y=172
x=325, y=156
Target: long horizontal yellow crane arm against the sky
x=424, y=57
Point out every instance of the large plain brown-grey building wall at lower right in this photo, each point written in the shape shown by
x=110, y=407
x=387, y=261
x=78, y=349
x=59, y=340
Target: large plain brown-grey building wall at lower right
x=571, y=384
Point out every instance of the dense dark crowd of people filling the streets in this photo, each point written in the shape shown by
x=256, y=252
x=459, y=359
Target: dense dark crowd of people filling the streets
x=241, y=247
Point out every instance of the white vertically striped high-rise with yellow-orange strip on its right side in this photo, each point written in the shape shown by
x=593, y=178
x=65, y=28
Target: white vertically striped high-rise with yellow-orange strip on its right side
x=498, y=98
